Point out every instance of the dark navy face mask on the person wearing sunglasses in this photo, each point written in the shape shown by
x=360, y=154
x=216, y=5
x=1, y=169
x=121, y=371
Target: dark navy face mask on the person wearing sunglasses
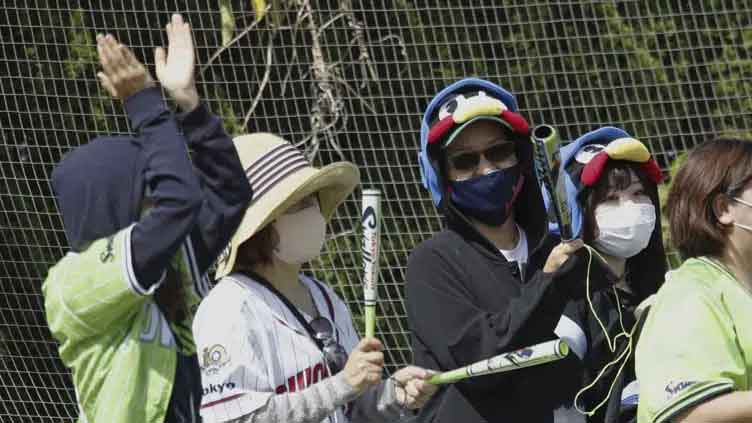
x=488, y=198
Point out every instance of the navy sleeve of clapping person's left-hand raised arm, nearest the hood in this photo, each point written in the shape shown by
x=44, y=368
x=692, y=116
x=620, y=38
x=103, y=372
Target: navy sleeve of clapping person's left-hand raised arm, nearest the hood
x=174, y=187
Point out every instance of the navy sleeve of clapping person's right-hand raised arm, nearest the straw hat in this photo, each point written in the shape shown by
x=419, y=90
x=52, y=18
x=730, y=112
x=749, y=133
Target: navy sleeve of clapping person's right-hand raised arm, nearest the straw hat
x=225, y=191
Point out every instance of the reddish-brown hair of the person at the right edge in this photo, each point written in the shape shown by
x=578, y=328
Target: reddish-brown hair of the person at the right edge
x=719, y=167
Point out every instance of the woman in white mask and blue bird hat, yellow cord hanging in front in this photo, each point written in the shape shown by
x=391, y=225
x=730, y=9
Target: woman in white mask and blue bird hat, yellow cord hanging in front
x=612, y=193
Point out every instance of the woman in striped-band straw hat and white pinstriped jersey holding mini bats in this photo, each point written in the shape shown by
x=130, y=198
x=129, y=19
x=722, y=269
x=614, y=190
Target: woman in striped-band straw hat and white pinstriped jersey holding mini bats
x=276, y=345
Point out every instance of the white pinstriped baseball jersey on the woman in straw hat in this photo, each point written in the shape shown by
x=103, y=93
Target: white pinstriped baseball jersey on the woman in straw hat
x=250, y=346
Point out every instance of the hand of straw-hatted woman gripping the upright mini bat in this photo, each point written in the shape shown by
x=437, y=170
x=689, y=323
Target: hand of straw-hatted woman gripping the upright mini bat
x=364, y=365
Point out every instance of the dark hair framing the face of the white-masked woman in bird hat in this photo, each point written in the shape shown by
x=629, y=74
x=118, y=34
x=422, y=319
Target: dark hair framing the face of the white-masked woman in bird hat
x=617, y=175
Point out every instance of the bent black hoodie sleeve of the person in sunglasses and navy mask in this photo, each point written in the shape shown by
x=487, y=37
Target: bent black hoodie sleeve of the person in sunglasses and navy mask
x=456, y=332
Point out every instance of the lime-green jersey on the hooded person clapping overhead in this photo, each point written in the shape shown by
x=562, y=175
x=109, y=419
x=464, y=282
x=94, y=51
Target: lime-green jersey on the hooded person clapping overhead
x=114, y=338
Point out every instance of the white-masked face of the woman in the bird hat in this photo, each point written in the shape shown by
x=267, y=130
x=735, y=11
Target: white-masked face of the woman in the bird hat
x=625, y=220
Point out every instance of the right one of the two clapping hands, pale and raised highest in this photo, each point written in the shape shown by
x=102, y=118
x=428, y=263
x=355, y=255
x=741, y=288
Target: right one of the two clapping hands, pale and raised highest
x=175, y=67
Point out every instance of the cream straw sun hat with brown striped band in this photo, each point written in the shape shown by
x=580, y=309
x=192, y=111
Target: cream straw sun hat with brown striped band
x=280, y=177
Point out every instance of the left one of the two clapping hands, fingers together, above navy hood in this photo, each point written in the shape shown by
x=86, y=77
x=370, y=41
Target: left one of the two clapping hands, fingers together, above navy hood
x=122, y=74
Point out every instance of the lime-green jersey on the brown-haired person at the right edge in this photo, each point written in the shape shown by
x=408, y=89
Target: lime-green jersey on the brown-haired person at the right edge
x=694, y=342
